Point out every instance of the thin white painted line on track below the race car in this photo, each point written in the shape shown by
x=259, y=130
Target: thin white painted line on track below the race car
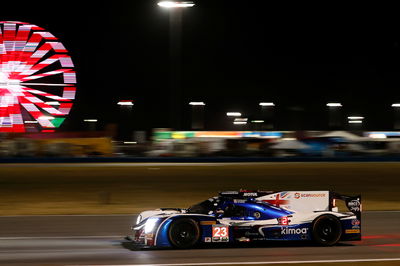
x=257, y=262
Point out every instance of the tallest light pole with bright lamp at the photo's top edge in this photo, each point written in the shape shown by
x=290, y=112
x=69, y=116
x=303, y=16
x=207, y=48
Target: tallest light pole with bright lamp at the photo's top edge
x=175, y=9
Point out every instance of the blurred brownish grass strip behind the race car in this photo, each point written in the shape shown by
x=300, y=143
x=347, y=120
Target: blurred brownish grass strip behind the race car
x=112, y=189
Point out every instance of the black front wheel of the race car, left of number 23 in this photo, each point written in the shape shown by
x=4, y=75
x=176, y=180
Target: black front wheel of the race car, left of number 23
x=184, y=233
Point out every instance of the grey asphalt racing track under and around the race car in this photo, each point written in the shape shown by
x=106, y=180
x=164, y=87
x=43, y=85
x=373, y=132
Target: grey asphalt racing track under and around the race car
x=62, y=240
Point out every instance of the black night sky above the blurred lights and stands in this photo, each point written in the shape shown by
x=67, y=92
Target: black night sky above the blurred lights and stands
x=234, y=55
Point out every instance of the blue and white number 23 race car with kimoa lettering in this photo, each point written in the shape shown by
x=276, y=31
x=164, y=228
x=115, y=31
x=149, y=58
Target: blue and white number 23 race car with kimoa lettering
x=252, y=216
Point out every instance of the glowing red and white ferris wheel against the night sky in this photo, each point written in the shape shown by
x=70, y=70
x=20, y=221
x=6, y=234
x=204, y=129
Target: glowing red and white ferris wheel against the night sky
x=37, y=79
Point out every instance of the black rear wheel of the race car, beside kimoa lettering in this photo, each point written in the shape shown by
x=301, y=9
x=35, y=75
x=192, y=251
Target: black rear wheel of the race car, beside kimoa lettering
x=326, y=230
